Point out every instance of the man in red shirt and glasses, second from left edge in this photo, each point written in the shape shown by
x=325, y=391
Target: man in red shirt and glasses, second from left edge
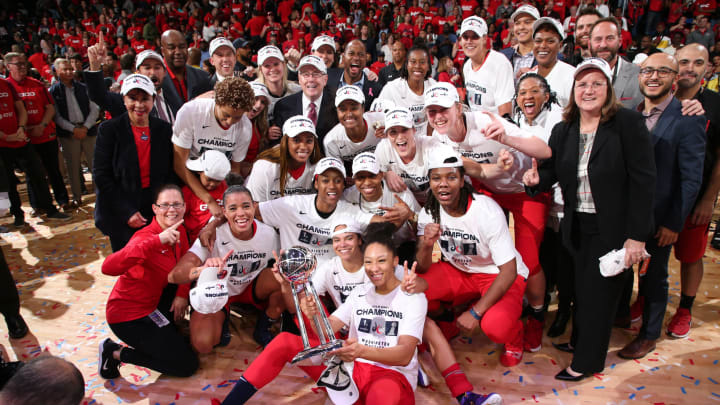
x=40, y=129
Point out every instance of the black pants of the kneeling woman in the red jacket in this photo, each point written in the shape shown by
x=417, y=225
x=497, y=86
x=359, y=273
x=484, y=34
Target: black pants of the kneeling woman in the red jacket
x=160, y=349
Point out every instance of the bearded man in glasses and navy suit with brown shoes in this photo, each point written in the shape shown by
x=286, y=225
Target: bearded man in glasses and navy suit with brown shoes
x=679, y=143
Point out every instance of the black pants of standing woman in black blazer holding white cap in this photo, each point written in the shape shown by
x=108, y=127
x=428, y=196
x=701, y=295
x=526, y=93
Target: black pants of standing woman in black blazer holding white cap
x=596, y=297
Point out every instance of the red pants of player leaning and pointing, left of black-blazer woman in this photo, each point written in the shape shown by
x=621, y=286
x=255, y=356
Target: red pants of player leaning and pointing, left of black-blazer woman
x=529, y=217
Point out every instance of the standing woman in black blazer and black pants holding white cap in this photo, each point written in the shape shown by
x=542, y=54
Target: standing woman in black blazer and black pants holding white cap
x=603, y=160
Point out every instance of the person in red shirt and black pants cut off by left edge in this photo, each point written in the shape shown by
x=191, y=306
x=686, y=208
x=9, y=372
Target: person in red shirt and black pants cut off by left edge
x=15, y=148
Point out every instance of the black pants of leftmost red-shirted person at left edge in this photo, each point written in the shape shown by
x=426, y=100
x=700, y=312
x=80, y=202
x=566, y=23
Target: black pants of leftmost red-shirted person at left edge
x=27, y=159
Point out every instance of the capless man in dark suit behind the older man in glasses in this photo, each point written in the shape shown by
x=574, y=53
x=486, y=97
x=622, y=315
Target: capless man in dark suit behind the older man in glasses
x=354, y=60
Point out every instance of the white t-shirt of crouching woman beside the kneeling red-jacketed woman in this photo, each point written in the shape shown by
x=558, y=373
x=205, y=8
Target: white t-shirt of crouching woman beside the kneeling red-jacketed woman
x=249, y=257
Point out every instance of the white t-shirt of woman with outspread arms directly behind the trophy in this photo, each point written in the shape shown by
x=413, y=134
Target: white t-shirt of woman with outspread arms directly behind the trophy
x=300, y=224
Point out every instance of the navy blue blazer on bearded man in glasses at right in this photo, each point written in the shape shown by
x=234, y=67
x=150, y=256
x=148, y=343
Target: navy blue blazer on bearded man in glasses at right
x=679, y=143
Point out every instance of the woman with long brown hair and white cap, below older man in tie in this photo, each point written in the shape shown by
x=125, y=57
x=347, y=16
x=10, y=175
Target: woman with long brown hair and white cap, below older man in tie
x=287, y=169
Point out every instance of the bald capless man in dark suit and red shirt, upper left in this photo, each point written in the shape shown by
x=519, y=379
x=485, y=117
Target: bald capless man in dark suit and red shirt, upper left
x=182, y=82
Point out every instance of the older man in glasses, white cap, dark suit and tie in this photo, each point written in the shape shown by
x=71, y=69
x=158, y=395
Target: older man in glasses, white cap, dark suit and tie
x=315, y=101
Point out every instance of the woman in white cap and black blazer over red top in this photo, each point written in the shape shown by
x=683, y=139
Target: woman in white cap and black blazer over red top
x=133, y=156
